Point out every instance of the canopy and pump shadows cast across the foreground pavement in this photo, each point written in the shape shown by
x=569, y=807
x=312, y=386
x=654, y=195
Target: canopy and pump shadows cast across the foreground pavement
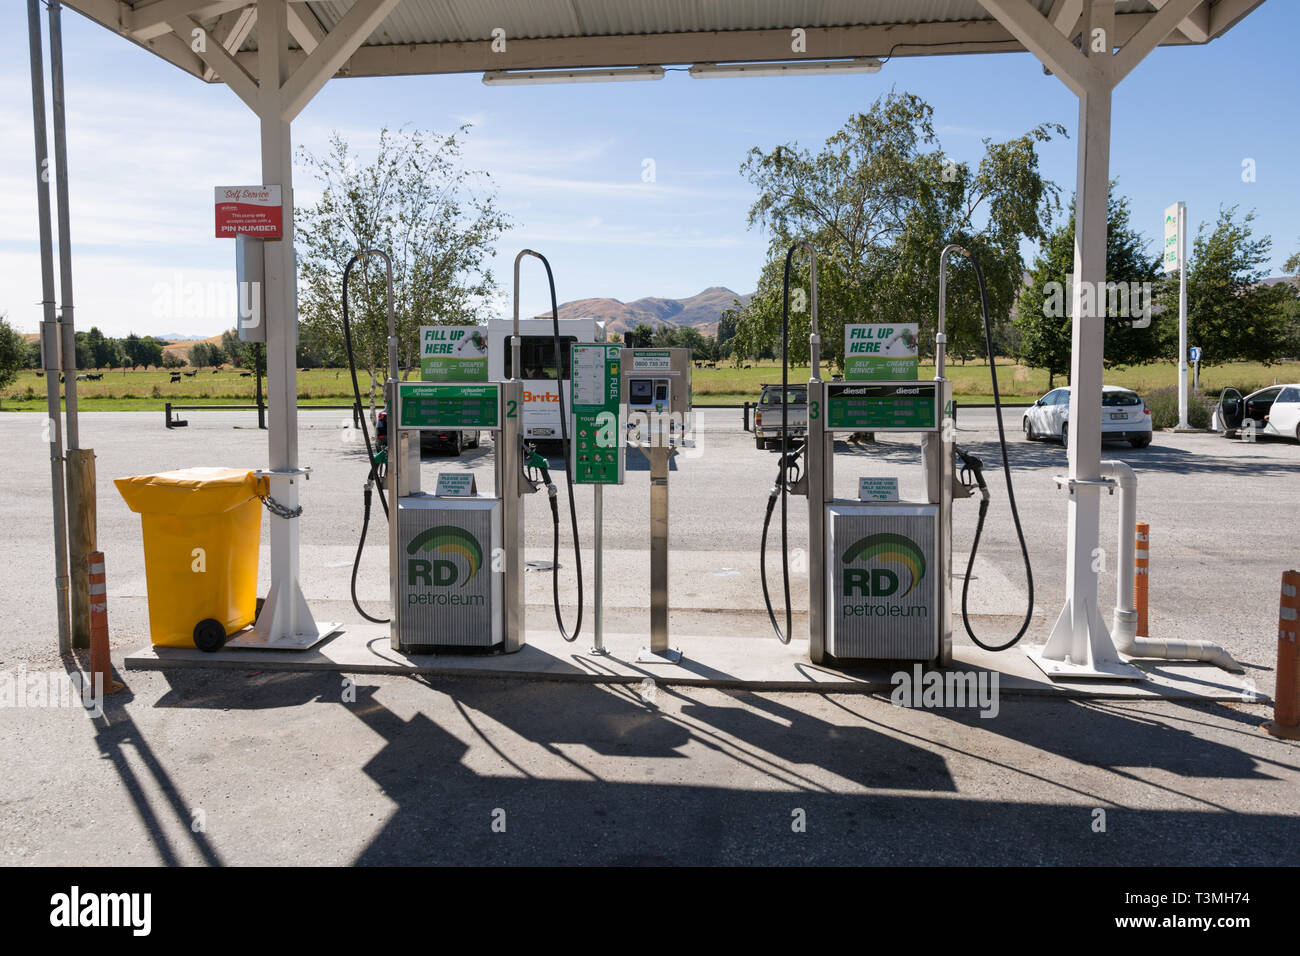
x=869, y=791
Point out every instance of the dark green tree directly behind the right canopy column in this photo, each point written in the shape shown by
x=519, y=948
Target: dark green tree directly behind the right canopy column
x=1046, y=309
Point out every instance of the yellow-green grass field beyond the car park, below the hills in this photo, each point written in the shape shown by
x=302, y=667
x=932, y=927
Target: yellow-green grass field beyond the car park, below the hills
x=148, y=391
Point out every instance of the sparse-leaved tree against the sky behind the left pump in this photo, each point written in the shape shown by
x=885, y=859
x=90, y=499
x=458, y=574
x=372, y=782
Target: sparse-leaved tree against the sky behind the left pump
x=418, y=204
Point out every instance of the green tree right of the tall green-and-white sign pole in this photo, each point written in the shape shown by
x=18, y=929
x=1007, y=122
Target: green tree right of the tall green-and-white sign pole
x=1232, y=314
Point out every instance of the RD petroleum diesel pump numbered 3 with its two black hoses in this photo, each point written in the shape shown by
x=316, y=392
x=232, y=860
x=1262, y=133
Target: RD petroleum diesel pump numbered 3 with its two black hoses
x=879, y=569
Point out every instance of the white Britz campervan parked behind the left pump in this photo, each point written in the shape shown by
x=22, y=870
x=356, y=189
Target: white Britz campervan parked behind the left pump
x=539, y=369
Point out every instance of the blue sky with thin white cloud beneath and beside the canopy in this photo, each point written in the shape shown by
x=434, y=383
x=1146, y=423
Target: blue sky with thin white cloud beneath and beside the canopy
x=148, y=144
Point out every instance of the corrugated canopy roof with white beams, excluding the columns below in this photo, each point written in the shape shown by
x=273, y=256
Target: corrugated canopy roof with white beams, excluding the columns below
x=421, y=37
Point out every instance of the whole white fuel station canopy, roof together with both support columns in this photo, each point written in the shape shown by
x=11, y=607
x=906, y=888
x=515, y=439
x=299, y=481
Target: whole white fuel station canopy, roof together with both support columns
x=276, y=55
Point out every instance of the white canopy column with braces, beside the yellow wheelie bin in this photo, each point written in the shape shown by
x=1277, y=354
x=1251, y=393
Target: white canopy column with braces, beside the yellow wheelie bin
x=278, y=96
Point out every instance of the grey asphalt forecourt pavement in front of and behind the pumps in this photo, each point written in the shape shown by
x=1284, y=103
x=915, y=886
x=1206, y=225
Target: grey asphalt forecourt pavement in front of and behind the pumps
x=310, y=769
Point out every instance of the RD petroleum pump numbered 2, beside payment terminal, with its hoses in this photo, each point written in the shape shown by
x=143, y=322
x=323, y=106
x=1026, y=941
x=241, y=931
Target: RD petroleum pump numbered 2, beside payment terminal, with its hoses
x=456, y=553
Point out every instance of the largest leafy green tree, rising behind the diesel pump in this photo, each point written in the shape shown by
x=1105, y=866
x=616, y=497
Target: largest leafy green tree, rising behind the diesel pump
x=879, y=202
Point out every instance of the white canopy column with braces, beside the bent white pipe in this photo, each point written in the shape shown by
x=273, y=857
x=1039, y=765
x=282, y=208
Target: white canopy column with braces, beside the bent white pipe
x=1081, y=644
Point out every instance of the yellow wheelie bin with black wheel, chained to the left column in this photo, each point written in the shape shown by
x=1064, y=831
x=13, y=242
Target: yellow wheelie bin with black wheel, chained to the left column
x=202, y=531
